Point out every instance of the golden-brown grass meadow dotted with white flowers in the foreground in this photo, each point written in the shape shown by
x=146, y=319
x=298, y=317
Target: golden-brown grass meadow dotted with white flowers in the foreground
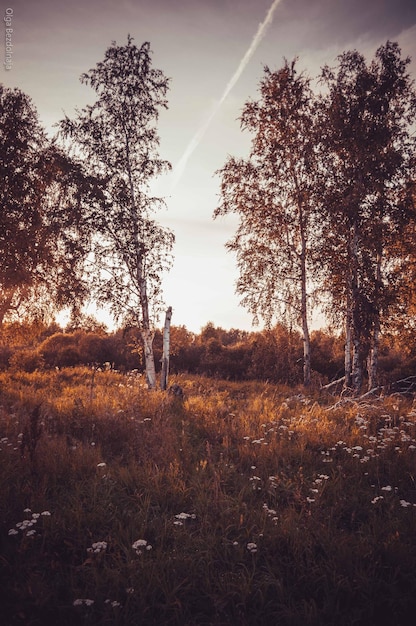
x=238, y=504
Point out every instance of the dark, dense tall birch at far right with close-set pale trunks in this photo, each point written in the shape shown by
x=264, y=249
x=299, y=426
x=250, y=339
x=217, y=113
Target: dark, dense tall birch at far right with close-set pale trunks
x=368, y=151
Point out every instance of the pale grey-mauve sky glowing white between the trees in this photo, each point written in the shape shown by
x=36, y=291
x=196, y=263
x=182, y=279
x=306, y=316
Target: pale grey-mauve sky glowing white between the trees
x=214, y=52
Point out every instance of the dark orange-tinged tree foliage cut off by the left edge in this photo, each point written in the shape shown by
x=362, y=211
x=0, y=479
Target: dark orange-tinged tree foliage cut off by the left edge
x=44, y=215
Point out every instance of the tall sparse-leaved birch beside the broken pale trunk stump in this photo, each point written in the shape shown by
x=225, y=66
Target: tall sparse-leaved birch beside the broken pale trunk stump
x=118, y=139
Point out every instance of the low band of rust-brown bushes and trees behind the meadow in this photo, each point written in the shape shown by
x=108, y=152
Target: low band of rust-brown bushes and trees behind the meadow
x=275, y=355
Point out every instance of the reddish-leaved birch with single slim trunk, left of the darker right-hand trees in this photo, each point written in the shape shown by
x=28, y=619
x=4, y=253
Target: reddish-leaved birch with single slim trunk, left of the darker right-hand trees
x=272, y=192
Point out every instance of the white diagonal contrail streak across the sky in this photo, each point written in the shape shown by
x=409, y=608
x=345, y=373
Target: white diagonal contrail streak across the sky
x=181, y=164
